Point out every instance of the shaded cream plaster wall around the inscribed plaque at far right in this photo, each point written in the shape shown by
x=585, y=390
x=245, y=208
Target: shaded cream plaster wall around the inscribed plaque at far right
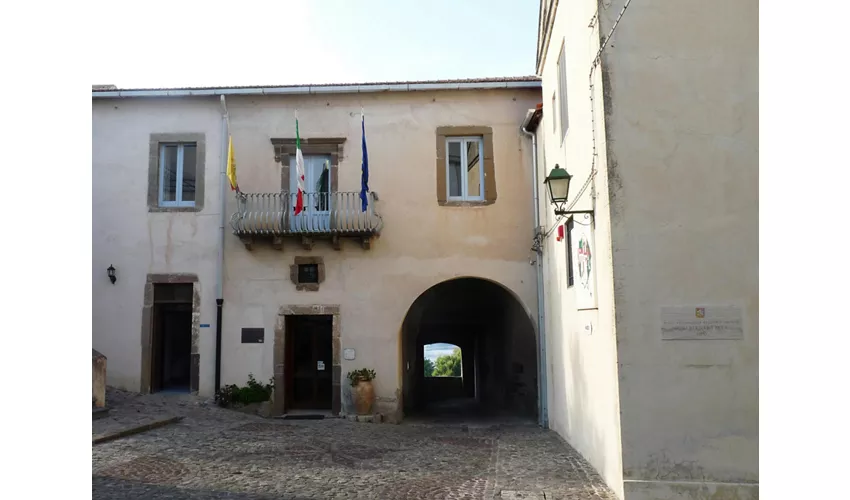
x=683, y=160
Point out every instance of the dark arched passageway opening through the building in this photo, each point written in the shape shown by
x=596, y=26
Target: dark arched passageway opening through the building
x=488, y=325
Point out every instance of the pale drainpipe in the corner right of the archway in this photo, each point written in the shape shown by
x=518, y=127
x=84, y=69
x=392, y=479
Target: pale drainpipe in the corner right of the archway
x=543, y=406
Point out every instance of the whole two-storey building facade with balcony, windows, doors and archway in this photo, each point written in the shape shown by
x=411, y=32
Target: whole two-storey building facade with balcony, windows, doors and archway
x=349, y=276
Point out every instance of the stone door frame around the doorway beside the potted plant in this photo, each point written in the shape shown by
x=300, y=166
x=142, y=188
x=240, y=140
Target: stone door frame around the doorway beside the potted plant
x=280, y=352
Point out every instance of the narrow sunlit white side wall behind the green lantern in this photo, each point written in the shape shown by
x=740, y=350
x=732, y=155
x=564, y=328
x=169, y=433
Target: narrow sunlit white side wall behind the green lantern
x=582, y=366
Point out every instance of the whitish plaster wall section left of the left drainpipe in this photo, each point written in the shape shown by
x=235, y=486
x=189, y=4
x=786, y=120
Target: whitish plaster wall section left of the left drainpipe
x=137, y=242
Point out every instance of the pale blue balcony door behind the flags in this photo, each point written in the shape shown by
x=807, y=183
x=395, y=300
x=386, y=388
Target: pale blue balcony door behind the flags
x=316, y=216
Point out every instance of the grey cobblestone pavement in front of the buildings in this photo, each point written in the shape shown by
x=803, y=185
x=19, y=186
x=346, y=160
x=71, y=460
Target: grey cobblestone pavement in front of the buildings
x=215, y=453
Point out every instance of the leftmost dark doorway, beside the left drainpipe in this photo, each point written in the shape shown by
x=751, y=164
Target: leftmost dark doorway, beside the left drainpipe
x=171, y=340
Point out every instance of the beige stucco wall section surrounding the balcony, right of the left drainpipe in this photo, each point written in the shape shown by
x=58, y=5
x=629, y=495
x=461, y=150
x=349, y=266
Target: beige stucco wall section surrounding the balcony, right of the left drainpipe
x=422, y=244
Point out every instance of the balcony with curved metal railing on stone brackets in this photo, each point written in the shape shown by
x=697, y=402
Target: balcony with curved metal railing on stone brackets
x=334, y=216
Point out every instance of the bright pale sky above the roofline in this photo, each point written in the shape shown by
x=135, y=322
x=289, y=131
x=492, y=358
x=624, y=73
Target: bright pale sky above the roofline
x=189, y=43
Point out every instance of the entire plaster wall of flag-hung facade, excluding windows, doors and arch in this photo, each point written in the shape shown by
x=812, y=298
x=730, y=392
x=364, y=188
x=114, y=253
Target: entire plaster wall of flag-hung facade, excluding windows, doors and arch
x=421, y=244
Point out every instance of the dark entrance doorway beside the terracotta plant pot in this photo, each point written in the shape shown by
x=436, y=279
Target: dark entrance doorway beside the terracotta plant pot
x=308, y=372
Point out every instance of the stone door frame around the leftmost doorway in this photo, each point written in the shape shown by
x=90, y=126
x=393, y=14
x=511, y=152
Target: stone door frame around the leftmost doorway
x=147, y=327
